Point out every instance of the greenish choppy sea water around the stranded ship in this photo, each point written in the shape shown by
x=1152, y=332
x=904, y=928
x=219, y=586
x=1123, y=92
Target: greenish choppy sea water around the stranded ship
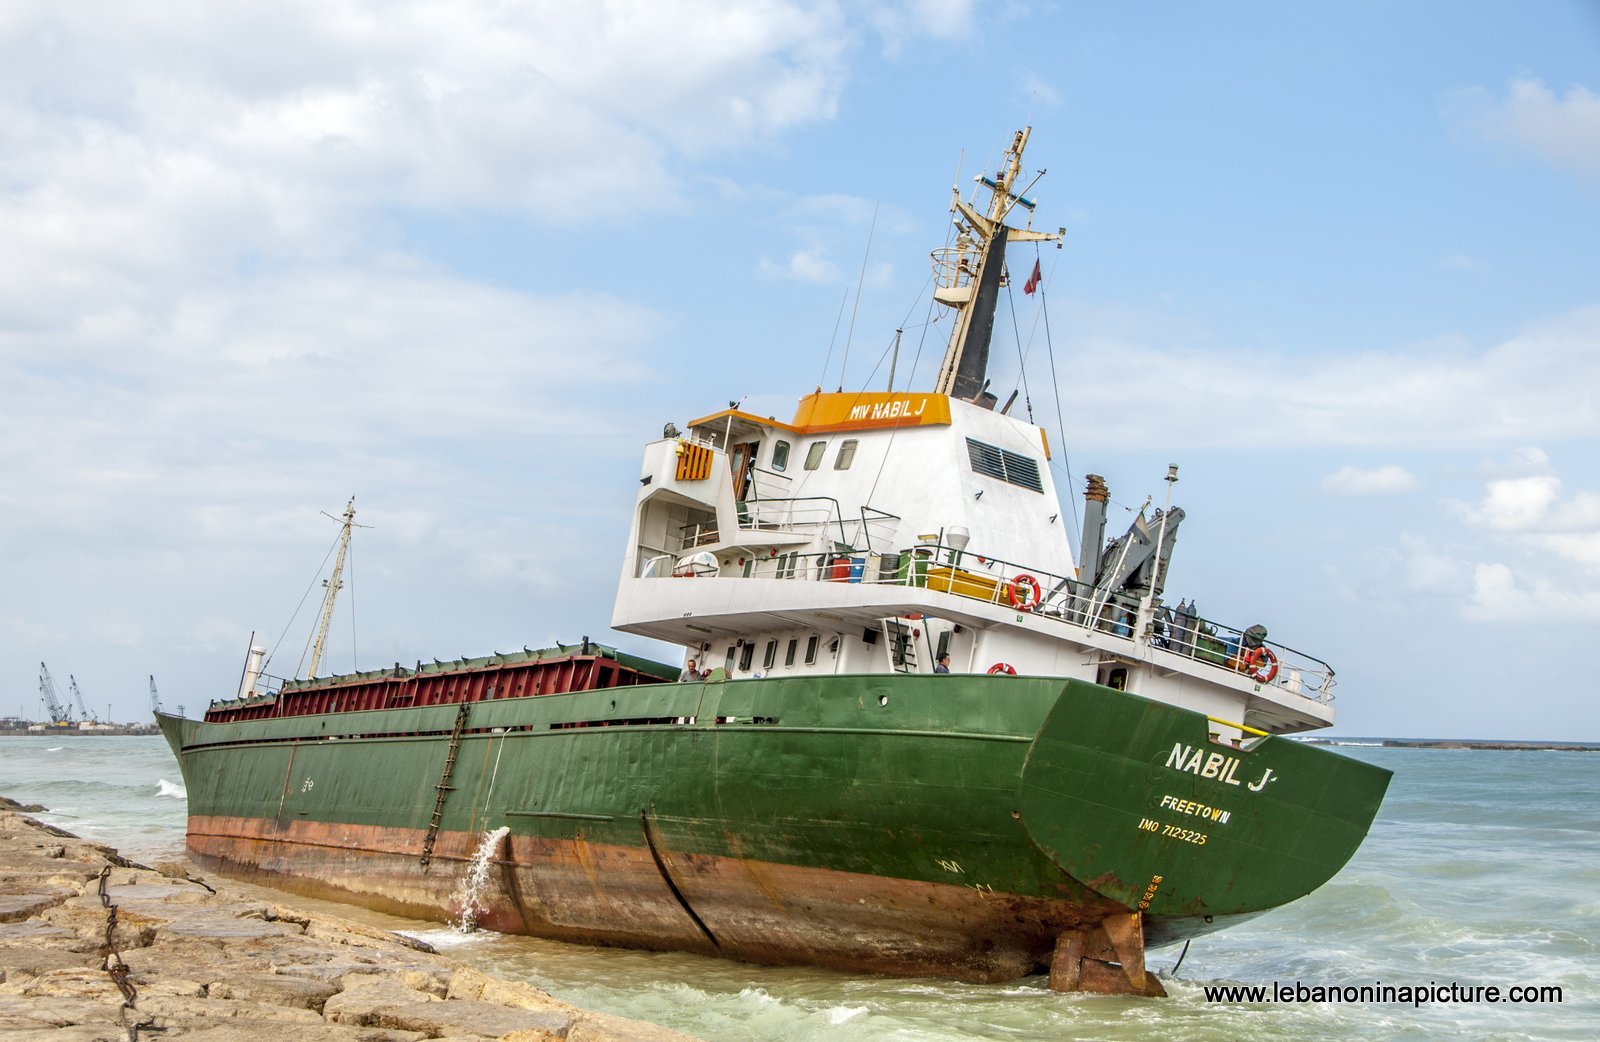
x=1482, y=870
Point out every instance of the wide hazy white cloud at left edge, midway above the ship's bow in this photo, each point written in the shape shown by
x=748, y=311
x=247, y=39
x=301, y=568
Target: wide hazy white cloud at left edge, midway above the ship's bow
x=239, y=395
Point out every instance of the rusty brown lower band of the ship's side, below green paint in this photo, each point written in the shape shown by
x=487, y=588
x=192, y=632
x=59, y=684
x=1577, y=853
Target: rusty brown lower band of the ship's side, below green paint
x=654, y=899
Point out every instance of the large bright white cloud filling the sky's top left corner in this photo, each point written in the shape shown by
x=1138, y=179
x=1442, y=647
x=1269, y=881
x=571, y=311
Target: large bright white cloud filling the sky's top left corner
x=297, y=119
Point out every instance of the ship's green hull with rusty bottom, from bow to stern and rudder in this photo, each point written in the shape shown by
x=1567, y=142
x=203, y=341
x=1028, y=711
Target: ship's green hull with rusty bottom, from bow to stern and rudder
x=919, y=825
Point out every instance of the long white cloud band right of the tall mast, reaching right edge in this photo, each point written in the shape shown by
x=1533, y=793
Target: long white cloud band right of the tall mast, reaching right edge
x=1540, y=385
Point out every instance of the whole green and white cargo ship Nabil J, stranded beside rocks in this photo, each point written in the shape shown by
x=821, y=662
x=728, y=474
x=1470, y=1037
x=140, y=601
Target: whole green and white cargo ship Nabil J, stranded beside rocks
x=910, y=734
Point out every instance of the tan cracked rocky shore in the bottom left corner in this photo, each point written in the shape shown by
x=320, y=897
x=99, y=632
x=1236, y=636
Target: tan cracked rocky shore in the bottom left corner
x=98, y=948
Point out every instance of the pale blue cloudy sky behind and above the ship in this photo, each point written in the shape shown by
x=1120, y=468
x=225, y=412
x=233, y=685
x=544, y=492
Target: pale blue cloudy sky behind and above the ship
x=462, y=260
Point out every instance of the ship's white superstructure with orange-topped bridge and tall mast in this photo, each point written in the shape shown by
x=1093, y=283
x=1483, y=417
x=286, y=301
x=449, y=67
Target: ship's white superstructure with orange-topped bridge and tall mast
x=878, y=532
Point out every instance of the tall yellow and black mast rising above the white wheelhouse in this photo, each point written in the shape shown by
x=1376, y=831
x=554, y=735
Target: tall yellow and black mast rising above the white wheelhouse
x=969, y=275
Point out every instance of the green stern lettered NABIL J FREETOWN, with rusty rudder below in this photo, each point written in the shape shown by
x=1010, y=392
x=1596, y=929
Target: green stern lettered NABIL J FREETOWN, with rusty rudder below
x=1143, y=806
